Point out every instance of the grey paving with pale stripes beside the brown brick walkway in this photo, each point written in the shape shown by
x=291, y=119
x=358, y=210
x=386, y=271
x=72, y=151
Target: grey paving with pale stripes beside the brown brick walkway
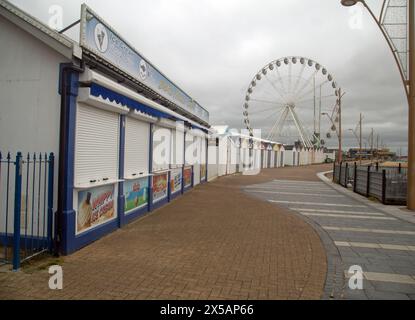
x=354, y=234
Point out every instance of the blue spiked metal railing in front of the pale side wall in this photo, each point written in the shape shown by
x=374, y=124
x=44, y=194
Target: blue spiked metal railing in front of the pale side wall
x=26, y=206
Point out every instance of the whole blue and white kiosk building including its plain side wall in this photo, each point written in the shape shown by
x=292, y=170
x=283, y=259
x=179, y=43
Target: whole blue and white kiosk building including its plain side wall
x=126, y=139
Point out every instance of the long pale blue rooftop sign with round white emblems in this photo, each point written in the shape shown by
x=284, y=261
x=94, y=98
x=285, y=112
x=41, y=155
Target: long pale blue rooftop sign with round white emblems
x=99, y=38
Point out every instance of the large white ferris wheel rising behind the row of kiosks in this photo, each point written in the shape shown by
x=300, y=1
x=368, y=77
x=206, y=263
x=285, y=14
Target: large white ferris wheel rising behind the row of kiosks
x=286, y=99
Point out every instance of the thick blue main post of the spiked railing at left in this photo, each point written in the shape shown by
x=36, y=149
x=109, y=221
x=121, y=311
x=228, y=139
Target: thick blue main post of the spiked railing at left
x=17, y=209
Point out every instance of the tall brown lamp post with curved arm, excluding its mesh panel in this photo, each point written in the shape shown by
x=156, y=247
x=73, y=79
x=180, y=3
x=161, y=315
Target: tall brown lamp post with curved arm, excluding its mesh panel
x=408, y=85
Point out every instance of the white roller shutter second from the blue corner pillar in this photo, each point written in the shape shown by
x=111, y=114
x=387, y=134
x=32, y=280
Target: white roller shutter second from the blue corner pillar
x=137, y=143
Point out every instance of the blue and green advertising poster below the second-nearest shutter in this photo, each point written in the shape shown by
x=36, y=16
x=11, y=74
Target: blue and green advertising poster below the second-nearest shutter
x=136, y=194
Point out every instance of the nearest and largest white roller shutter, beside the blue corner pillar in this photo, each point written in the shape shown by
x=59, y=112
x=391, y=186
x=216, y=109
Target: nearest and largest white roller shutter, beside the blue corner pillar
x=97, y=141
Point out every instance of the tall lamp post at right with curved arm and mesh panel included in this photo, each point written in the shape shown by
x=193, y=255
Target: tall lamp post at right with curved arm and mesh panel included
x=405, y=59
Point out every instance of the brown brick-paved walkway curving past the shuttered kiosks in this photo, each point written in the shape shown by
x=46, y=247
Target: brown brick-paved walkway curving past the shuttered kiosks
x=215, y=242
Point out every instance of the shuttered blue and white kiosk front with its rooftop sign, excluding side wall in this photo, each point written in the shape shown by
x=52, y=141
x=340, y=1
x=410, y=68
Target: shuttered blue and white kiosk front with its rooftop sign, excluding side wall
x=125, y=138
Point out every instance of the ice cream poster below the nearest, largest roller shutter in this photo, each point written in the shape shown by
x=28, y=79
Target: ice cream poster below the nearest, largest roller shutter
x=95, y=206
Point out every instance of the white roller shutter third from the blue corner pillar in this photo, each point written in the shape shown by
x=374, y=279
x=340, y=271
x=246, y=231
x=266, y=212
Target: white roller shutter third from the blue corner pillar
x=161, y=136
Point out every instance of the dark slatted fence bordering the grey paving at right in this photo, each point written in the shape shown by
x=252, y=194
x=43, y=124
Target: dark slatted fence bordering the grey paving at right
x=387, y=184
